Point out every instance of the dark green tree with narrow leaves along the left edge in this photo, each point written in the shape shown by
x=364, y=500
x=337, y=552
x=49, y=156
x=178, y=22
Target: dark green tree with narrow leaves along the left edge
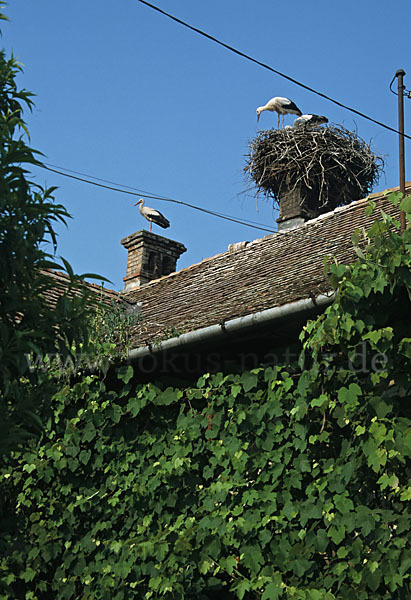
x=29, y=324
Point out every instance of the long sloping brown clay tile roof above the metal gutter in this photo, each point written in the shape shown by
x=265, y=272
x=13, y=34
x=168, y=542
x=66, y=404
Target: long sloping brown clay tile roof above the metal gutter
x=268, y=272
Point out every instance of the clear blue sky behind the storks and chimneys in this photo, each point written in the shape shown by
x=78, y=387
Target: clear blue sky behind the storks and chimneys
x=125, y=94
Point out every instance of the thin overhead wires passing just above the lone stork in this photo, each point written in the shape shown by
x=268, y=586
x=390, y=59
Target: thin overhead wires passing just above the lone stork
x=244, y=222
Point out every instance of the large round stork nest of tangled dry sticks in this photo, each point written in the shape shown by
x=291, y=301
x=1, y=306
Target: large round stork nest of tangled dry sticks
x=330, y=165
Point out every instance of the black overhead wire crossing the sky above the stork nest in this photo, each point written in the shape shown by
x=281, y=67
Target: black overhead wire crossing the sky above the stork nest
x=265, y=66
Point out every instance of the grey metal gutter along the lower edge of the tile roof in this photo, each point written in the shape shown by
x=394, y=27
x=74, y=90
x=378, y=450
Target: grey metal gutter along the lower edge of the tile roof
x=231, y=326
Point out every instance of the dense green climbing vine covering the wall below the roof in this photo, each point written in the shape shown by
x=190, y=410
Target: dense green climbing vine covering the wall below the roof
x=274, y=483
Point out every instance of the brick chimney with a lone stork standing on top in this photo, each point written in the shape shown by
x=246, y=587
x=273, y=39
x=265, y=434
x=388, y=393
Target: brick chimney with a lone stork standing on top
x=150, y=256
